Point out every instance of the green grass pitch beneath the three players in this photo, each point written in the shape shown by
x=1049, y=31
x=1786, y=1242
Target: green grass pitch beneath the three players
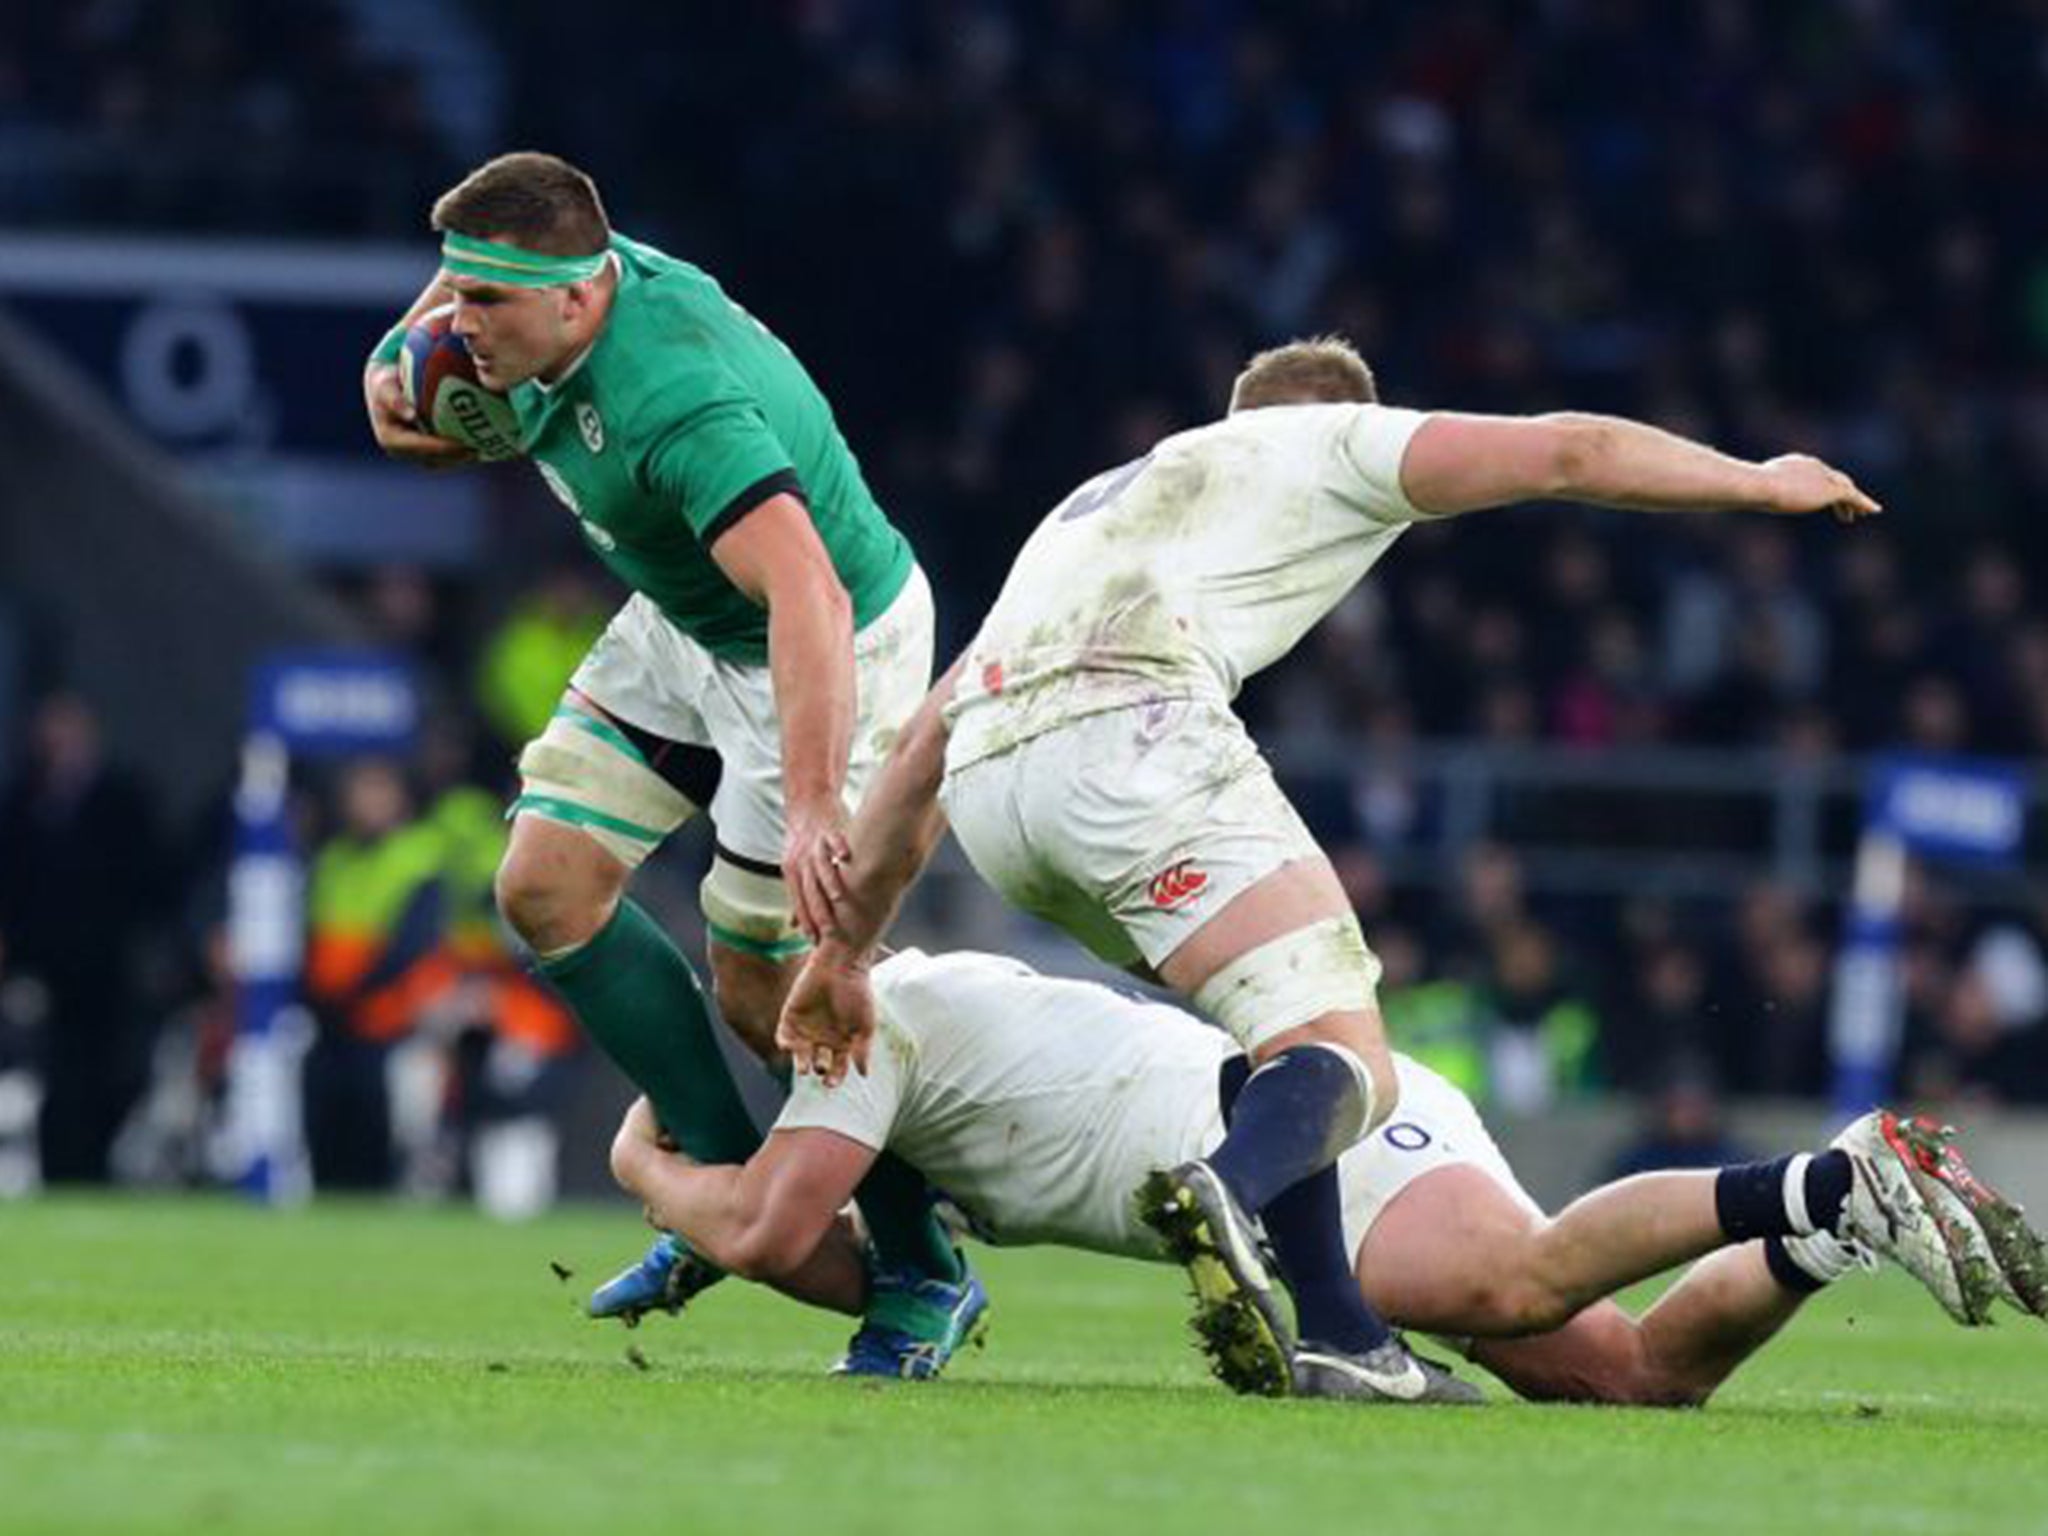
x=370, y=1369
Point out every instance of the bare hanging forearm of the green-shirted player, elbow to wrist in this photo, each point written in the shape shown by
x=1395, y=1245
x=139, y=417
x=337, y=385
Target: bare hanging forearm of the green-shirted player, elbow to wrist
x=812, y=671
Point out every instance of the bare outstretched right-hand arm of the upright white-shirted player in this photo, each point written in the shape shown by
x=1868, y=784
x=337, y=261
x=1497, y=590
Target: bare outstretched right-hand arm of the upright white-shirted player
x=1465, y=464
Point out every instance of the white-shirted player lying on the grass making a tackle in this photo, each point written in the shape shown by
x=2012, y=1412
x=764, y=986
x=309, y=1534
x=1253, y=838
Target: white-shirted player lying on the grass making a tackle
x=1037, y=1105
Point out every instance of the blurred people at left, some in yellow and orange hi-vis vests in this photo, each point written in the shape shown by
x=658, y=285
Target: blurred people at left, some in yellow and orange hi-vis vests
x=433, y=1060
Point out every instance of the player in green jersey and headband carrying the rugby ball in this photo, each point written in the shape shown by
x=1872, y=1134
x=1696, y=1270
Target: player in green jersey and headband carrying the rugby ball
x=777, y=638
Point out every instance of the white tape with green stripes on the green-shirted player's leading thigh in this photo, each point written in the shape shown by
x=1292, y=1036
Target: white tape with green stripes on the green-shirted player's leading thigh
x=581, y=773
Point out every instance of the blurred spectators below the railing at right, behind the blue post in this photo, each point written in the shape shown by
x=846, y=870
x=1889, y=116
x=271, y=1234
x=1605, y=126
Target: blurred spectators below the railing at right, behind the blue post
x=1533, y=1000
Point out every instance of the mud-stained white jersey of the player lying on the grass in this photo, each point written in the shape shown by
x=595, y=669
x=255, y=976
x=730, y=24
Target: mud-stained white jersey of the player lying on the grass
x=1037, y=1105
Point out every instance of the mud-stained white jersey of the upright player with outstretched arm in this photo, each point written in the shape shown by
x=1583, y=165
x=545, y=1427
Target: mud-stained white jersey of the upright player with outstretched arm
x=1185, y=572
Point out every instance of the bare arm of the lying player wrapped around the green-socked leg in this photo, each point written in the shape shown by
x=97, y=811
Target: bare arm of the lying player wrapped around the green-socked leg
x=771, y=1220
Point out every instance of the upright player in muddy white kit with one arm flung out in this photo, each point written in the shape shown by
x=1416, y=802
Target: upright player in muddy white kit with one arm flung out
x=1099, y=779
